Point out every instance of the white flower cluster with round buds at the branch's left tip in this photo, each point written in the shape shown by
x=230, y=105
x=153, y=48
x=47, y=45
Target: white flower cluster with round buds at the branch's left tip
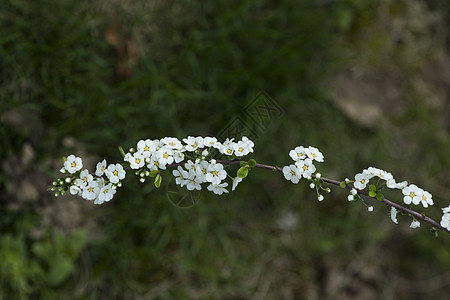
x=99, y=187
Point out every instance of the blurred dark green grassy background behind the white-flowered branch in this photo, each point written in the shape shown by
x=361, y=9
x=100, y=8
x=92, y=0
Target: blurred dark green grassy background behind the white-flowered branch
x=365, y=81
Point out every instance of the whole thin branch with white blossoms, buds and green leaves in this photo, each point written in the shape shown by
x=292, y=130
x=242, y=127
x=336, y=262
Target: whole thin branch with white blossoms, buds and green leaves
x=152, y=158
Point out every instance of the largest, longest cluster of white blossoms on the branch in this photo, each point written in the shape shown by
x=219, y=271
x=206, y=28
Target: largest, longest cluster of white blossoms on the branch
x=151, y=156
